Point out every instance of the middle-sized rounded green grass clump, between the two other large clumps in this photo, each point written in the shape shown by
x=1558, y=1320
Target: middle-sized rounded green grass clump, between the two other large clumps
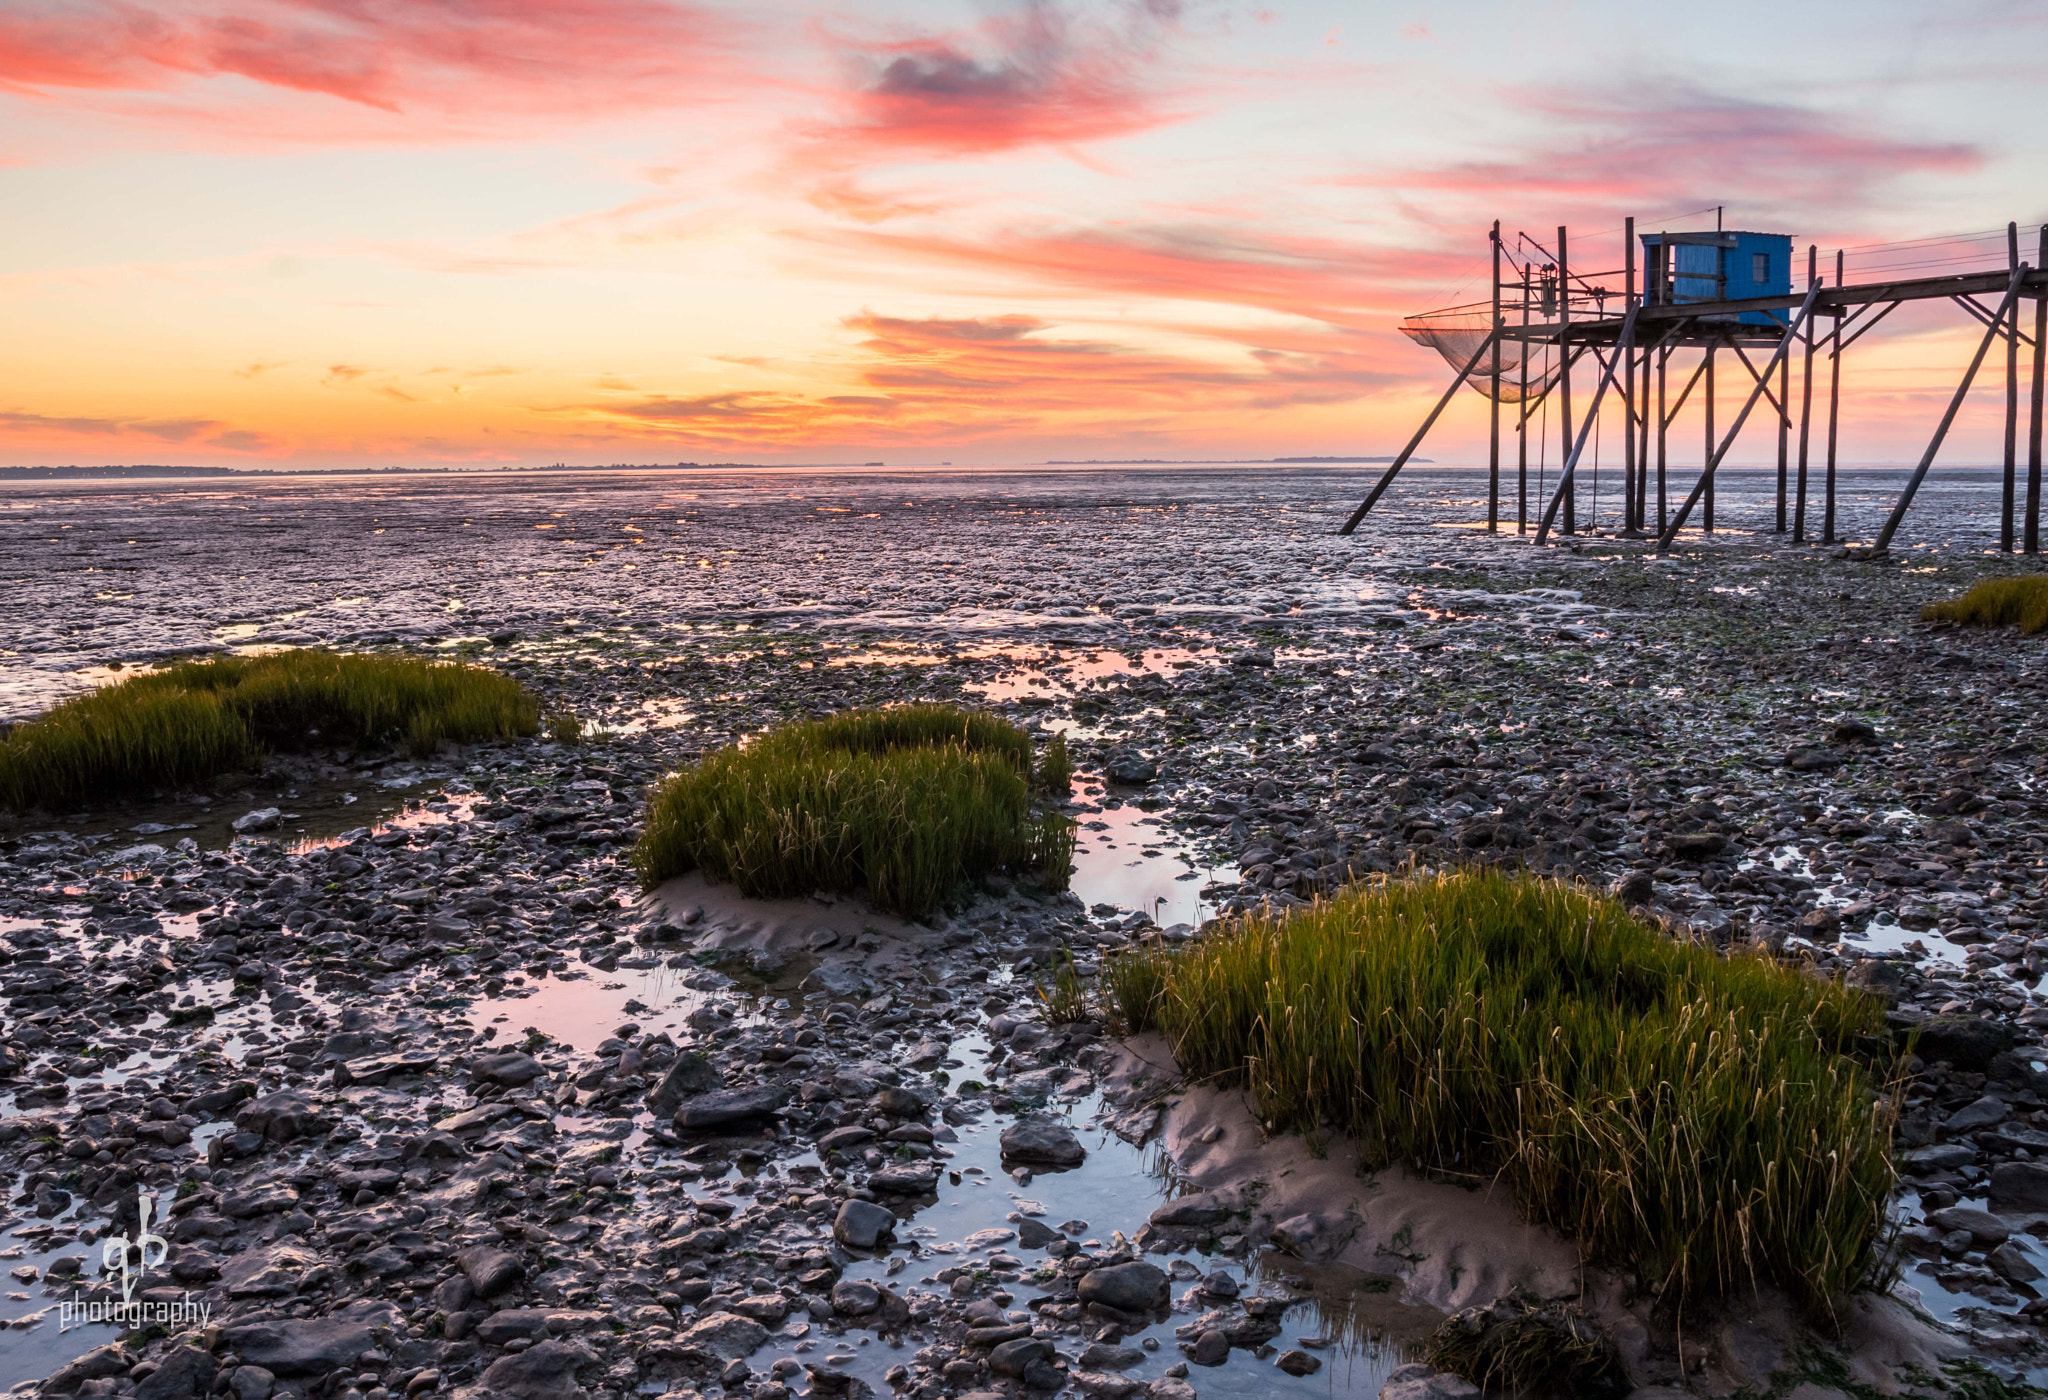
x=904, y=803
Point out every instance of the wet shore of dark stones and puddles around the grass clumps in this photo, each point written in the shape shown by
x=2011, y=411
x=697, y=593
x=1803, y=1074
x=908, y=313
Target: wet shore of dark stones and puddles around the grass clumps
x=445, y=1106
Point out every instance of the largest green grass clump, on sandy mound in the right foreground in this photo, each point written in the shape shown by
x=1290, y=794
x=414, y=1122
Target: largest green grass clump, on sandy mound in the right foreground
x=1695, y=1117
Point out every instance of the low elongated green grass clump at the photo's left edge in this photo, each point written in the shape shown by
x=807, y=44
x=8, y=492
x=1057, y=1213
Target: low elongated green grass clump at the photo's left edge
x=198, y=719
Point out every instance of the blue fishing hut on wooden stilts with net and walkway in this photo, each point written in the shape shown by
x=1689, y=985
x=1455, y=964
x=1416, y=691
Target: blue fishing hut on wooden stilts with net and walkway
x=1730, y=302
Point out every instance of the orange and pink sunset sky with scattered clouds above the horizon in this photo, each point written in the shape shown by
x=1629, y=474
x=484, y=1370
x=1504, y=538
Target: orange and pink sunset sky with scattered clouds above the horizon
x=359, y=232
